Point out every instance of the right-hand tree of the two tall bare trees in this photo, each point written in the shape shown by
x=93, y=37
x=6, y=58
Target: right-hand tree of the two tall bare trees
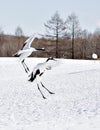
x=73, y=29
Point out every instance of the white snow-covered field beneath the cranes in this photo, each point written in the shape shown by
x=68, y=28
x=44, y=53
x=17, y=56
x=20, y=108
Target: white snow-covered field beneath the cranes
x=74, y=106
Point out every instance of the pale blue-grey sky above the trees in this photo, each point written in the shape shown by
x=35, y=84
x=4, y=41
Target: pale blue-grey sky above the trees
x=31, y=15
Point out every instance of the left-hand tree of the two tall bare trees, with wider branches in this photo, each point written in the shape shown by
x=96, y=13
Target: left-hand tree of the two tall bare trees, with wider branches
x=55, y=28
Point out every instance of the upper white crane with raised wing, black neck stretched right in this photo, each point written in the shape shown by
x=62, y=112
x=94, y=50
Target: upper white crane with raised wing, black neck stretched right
x=26, y=51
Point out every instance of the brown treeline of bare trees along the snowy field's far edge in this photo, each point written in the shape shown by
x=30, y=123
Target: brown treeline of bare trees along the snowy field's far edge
x=63, y=39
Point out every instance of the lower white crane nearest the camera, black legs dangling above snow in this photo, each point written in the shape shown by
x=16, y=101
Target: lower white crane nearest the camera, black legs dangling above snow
x=39, y=70
